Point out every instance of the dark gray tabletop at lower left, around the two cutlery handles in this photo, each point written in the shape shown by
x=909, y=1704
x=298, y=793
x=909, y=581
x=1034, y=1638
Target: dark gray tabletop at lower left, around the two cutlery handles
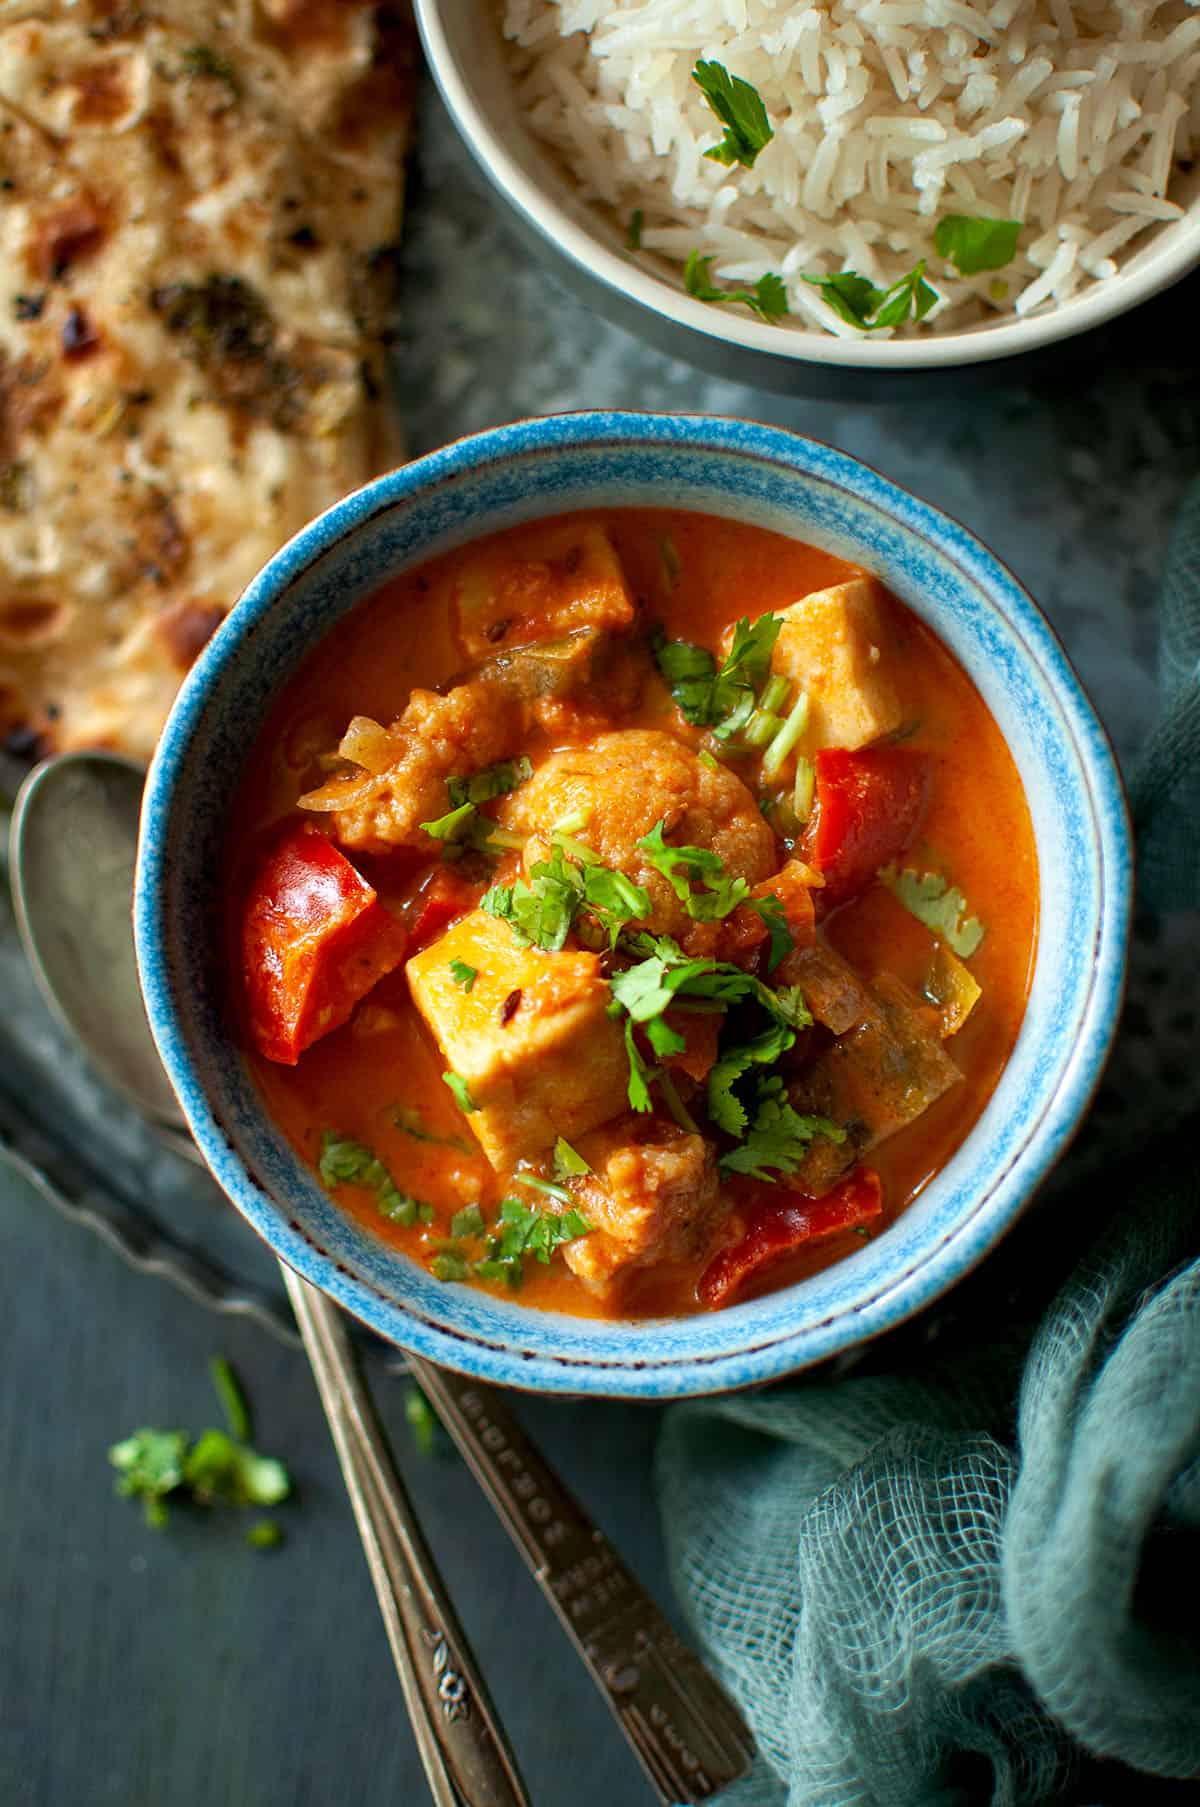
x=180, y=1667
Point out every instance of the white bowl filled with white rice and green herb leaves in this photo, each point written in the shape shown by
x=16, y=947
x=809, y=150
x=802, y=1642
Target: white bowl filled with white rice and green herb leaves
x=858, y=185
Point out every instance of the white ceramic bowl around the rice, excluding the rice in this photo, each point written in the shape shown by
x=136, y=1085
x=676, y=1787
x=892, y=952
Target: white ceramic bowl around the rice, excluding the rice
x=471, y=66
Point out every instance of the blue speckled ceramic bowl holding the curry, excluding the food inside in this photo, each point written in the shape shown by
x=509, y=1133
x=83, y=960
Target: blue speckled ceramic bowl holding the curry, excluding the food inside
x=760, y=476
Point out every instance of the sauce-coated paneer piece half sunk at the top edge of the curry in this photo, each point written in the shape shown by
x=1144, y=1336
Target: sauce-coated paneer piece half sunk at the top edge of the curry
x=576, y=581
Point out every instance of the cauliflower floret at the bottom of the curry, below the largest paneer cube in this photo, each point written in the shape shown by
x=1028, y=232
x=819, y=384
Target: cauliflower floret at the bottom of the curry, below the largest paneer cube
x=652, y=1197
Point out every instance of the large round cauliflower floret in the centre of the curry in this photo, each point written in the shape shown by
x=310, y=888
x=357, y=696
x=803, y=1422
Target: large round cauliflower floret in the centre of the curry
x=621, y=787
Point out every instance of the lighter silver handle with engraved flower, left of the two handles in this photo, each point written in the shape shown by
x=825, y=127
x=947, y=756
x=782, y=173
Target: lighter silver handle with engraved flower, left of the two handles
x=464, y=1748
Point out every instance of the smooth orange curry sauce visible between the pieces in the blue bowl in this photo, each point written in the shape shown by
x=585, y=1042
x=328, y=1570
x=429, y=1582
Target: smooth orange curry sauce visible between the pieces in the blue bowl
x=977, y=830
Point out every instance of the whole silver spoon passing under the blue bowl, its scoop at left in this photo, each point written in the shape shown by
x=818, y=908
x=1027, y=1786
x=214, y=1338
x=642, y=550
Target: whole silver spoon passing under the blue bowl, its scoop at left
x=75, y=836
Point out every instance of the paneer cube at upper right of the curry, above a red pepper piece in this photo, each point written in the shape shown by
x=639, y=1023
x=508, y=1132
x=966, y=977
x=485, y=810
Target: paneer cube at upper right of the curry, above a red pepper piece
x=832, y=646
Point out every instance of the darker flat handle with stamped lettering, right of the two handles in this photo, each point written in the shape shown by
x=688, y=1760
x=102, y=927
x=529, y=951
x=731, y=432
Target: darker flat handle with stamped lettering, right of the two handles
x=686, y=1732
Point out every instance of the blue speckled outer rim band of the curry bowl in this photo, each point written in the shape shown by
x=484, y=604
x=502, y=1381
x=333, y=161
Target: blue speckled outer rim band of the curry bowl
x=928, y=1275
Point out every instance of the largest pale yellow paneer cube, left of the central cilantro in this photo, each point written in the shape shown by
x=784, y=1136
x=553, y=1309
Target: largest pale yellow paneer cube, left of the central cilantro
x=530, y=1038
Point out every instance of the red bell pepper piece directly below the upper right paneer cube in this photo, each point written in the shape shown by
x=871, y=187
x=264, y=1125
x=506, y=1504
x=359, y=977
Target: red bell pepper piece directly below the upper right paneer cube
x=867, y=810
